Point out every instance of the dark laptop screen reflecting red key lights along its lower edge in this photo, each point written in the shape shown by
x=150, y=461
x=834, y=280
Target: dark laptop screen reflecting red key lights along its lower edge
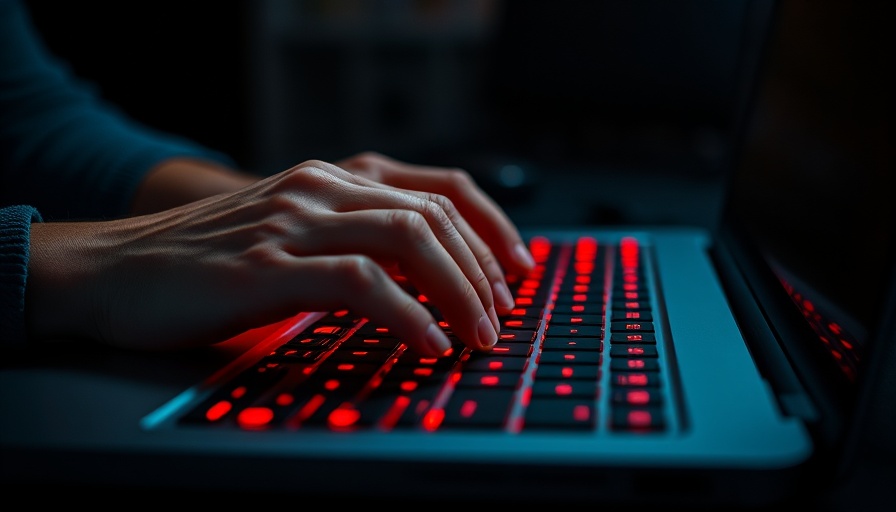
x=815, y=179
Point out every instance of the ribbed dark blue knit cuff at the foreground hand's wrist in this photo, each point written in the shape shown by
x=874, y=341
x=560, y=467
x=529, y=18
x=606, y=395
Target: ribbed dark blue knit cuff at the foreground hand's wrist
x=15, y=242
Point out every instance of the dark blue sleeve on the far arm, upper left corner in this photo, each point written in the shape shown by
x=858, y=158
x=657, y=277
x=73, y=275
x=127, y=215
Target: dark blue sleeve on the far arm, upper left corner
x=62, y=149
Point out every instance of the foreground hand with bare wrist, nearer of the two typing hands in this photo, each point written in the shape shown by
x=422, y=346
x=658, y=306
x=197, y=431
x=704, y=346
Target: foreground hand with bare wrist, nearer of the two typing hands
x=312, y=238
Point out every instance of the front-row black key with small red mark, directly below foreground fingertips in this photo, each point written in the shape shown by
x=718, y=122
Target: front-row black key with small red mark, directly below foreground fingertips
x=478, y=408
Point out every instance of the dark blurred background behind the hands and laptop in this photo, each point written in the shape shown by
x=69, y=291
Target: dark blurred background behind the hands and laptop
x=600, y=111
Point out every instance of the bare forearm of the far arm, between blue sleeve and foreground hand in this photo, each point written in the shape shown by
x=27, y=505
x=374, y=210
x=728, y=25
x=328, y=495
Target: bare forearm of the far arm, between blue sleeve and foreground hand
x=179, y=181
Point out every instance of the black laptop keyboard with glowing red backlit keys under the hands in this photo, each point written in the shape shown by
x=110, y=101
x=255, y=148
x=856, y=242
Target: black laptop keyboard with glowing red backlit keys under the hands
x=579, y=352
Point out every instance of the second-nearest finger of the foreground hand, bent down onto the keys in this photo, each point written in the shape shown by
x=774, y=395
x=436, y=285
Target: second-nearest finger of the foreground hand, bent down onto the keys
x=405, y=237
